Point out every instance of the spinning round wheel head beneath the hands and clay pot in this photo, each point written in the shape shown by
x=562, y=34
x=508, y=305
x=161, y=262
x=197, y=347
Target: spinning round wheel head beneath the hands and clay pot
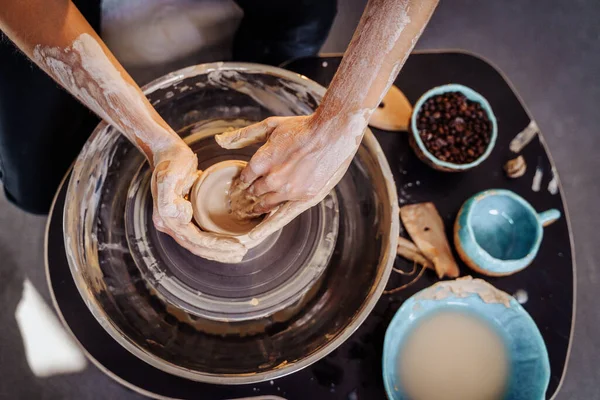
x=272, y=276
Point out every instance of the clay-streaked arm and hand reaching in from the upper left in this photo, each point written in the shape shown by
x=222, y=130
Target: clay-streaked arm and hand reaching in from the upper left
x=59, y=40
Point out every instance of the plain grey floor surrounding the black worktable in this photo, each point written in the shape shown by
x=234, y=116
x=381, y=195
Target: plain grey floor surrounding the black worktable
x=551, y=52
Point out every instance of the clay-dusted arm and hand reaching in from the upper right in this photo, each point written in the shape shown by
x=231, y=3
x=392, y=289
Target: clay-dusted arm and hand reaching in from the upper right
x=304, y=157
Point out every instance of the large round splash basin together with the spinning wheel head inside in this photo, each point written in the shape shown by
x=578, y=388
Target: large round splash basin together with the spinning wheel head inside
x=293, y=299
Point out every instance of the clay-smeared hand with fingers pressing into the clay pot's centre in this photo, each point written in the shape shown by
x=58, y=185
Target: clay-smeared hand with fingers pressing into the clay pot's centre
x=302, y=160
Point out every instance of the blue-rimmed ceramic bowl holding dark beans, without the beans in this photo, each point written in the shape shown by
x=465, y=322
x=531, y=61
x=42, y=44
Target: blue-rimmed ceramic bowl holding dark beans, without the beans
x=419, y=147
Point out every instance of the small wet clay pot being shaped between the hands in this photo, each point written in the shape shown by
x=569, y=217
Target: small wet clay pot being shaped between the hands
x=211, y=204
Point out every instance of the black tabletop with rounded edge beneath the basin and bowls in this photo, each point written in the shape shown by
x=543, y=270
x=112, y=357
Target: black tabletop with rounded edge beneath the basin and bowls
x=355, y=368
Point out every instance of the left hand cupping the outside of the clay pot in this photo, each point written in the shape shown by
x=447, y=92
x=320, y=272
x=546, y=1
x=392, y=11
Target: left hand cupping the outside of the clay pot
x=175, y=171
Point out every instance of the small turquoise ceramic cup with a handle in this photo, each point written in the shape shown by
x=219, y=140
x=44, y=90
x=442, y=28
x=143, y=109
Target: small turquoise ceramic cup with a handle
x=498, y=233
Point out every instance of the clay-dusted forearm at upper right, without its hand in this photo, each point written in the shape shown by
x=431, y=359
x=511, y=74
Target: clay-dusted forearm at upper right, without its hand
x=385, y=36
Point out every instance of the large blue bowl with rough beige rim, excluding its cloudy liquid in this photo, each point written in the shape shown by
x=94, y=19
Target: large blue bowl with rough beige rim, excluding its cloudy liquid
x=529, y=366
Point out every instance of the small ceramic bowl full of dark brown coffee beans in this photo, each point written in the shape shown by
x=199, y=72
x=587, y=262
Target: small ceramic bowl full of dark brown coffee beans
x=453, y=128
